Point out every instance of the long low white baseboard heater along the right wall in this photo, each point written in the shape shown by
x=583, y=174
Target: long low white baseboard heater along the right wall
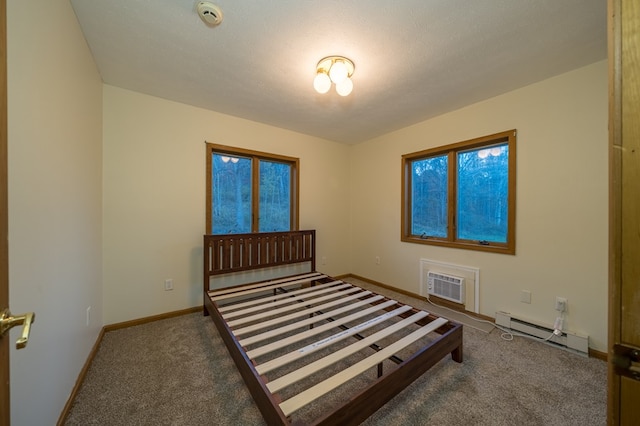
x=573, y=342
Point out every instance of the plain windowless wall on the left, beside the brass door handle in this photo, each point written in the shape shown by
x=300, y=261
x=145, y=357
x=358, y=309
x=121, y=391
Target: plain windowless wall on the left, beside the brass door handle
x=55, y=212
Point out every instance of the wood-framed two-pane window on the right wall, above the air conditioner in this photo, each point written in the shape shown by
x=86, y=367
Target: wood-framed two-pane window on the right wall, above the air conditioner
x=462, y=195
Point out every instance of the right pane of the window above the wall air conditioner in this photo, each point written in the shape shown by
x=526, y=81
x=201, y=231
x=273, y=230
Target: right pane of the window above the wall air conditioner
x=483, y=188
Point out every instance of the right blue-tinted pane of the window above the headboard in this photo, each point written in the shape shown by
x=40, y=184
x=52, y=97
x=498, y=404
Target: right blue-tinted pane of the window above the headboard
x=275, y=188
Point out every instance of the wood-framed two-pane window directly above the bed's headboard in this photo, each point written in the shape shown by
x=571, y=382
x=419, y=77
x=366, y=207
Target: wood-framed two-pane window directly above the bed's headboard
x=249, y=191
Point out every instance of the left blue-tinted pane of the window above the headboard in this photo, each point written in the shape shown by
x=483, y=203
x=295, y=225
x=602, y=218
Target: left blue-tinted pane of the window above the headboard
x=231, y=194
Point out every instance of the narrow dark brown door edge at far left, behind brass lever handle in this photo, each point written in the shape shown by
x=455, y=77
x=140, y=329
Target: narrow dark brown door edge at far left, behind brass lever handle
x=4, y=249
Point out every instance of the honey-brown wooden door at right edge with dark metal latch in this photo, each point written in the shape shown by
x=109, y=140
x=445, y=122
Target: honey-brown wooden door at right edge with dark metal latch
x=624, y=276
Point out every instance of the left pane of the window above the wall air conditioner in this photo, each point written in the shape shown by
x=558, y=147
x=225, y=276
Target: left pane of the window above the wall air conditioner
x=429, y=197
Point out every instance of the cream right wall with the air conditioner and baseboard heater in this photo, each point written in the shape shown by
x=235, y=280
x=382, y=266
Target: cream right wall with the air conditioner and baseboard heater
x=562, y=196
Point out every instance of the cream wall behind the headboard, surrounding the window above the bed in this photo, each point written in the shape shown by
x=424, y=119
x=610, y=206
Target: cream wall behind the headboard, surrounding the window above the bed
x=154, y=197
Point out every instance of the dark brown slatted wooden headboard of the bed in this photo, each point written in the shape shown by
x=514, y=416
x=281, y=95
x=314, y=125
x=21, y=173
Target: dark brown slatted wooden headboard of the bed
x=241, y=252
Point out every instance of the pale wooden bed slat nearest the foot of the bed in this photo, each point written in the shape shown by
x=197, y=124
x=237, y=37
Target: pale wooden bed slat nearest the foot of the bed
x=303, y=398
